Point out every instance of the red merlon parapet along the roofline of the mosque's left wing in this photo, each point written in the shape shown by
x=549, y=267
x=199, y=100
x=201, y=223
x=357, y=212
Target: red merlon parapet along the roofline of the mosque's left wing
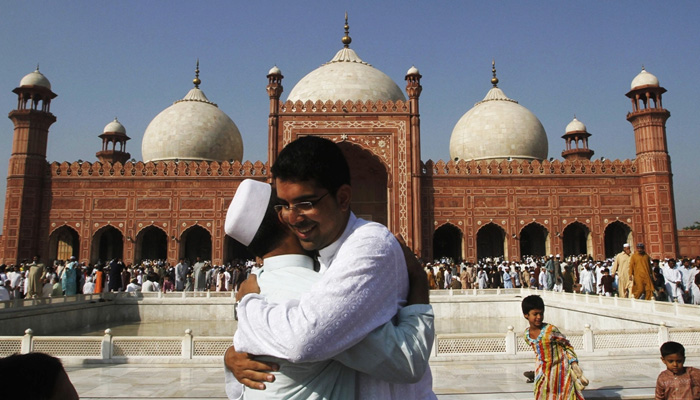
x=172, y=168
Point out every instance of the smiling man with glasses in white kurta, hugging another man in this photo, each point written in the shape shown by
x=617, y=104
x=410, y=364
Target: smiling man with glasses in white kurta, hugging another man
x=364, y=281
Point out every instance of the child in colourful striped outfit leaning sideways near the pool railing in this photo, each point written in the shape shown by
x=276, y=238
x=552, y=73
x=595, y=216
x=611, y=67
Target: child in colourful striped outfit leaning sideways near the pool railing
x=558, y=375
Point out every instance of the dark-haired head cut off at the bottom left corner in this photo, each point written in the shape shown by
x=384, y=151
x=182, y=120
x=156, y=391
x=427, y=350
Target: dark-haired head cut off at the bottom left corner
x=30, y=376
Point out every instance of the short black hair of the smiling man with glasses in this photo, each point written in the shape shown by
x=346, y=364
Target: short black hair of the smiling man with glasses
x=311, y=158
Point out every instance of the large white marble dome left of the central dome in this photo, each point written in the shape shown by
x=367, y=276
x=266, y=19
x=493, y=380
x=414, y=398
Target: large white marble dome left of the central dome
x=192, y=129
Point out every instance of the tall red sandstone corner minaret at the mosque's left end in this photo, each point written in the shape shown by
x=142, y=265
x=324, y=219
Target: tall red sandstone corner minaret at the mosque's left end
x=25, y=178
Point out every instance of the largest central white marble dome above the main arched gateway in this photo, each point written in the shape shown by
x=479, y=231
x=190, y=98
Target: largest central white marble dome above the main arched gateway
x=346, y=77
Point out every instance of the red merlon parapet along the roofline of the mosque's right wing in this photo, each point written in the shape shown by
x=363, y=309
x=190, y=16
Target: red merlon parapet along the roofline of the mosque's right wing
x=530, y=167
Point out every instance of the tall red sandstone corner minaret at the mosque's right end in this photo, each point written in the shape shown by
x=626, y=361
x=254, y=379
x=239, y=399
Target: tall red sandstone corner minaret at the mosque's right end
x=648, y=117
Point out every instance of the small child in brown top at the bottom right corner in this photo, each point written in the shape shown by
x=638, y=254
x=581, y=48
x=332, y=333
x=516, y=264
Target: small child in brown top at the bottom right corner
x=677, y=382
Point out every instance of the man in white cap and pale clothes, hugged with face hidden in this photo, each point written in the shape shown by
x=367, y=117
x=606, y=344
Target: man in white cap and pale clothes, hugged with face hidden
x=286, y=274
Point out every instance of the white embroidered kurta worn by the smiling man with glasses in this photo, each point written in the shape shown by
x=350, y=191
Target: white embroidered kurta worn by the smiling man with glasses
x=364, y=284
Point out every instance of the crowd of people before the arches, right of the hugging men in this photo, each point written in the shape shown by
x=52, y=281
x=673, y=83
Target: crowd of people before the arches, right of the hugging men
x=625, y=275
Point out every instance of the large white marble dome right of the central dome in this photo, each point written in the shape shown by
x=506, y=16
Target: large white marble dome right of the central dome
x=498, y=128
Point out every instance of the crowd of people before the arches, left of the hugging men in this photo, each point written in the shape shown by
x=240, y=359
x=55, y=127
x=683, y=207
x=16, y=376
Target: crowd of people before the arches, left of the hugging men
x=65, y=278
